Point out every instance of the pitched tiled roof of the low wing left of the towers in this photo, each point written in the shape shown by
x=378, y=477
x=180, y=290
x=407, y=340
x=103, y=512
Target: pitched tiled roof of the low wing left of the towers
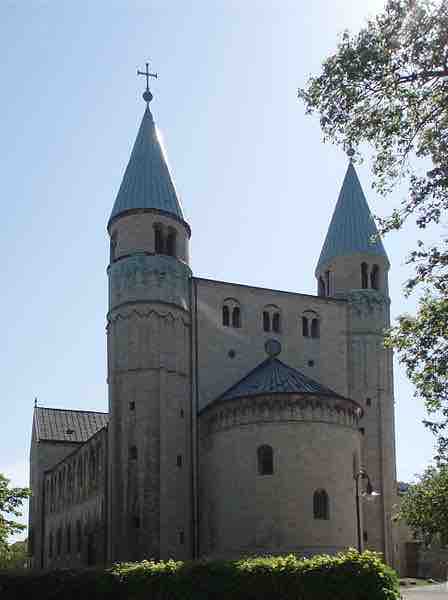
x=55, y=424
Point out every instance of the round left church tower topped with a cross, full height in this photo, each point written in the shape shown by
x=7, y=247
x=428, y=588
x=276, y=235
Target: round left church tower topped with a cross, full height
x=148, y=348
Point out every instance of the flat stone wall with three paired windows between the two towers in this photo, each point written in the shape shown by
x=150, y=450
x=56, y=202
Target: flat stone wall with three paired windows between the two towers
x=226, y=354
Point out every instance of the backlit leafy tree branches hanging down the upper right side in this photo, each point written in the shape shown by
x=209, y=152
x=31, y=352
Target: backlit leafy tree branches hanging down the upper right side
x=387, y=87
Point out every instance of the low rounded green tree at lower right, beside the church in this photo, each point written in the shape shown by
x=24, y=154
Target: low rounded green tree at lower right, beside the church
x=424, y=506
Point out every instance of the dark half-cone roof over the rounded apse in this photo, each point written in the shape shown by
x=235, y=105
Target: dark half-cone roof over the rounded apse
x=273, y=376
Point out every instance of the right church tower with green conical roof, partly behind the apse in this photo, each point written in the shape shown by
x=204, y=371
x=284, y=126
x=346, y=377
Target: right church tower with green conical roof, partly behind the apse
x=353, y=265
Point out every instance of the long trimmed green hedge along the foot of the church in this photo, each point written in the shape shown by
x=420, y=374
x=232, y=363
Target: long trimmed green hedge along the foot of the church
x=346, y=576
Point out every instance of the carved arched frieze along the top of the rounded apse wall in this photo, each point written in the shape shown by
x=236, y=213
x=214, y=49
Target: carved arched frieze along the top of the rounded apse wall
x=279, y=408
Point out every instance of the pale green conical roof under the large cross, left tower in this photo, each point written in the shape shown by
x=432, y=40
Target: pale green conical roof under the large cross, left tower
x=147, y=182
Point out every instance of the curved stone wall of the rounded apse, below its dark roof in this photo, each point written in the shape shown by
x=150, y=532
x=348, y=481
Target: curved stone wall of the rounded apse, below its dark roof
x=316, y=445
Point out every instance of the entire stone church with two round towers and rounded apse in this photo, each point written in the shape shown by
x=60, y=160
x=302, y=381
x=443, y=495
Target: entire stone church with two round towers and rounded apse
x=241, y=419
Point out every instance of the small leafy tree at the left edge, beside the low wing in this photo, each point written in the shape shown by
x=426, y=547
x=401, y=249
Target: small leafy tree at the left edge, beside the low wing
x=11, y=500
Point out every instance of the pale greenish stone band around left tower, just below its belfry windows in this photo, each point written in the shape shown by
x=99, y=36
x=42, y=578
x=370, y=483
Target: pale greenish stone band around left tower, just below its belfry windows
x=150, y=278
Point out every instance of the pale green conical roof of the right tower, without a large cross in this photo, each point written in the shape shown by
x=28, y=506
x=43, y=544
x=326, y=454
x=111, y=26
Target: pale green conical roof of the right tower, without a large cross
x=352, y=225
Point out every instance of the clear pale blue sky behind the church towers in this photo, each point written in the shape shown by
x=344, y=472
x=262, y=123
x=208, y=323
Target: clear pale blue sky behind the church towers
x=250, y=167
